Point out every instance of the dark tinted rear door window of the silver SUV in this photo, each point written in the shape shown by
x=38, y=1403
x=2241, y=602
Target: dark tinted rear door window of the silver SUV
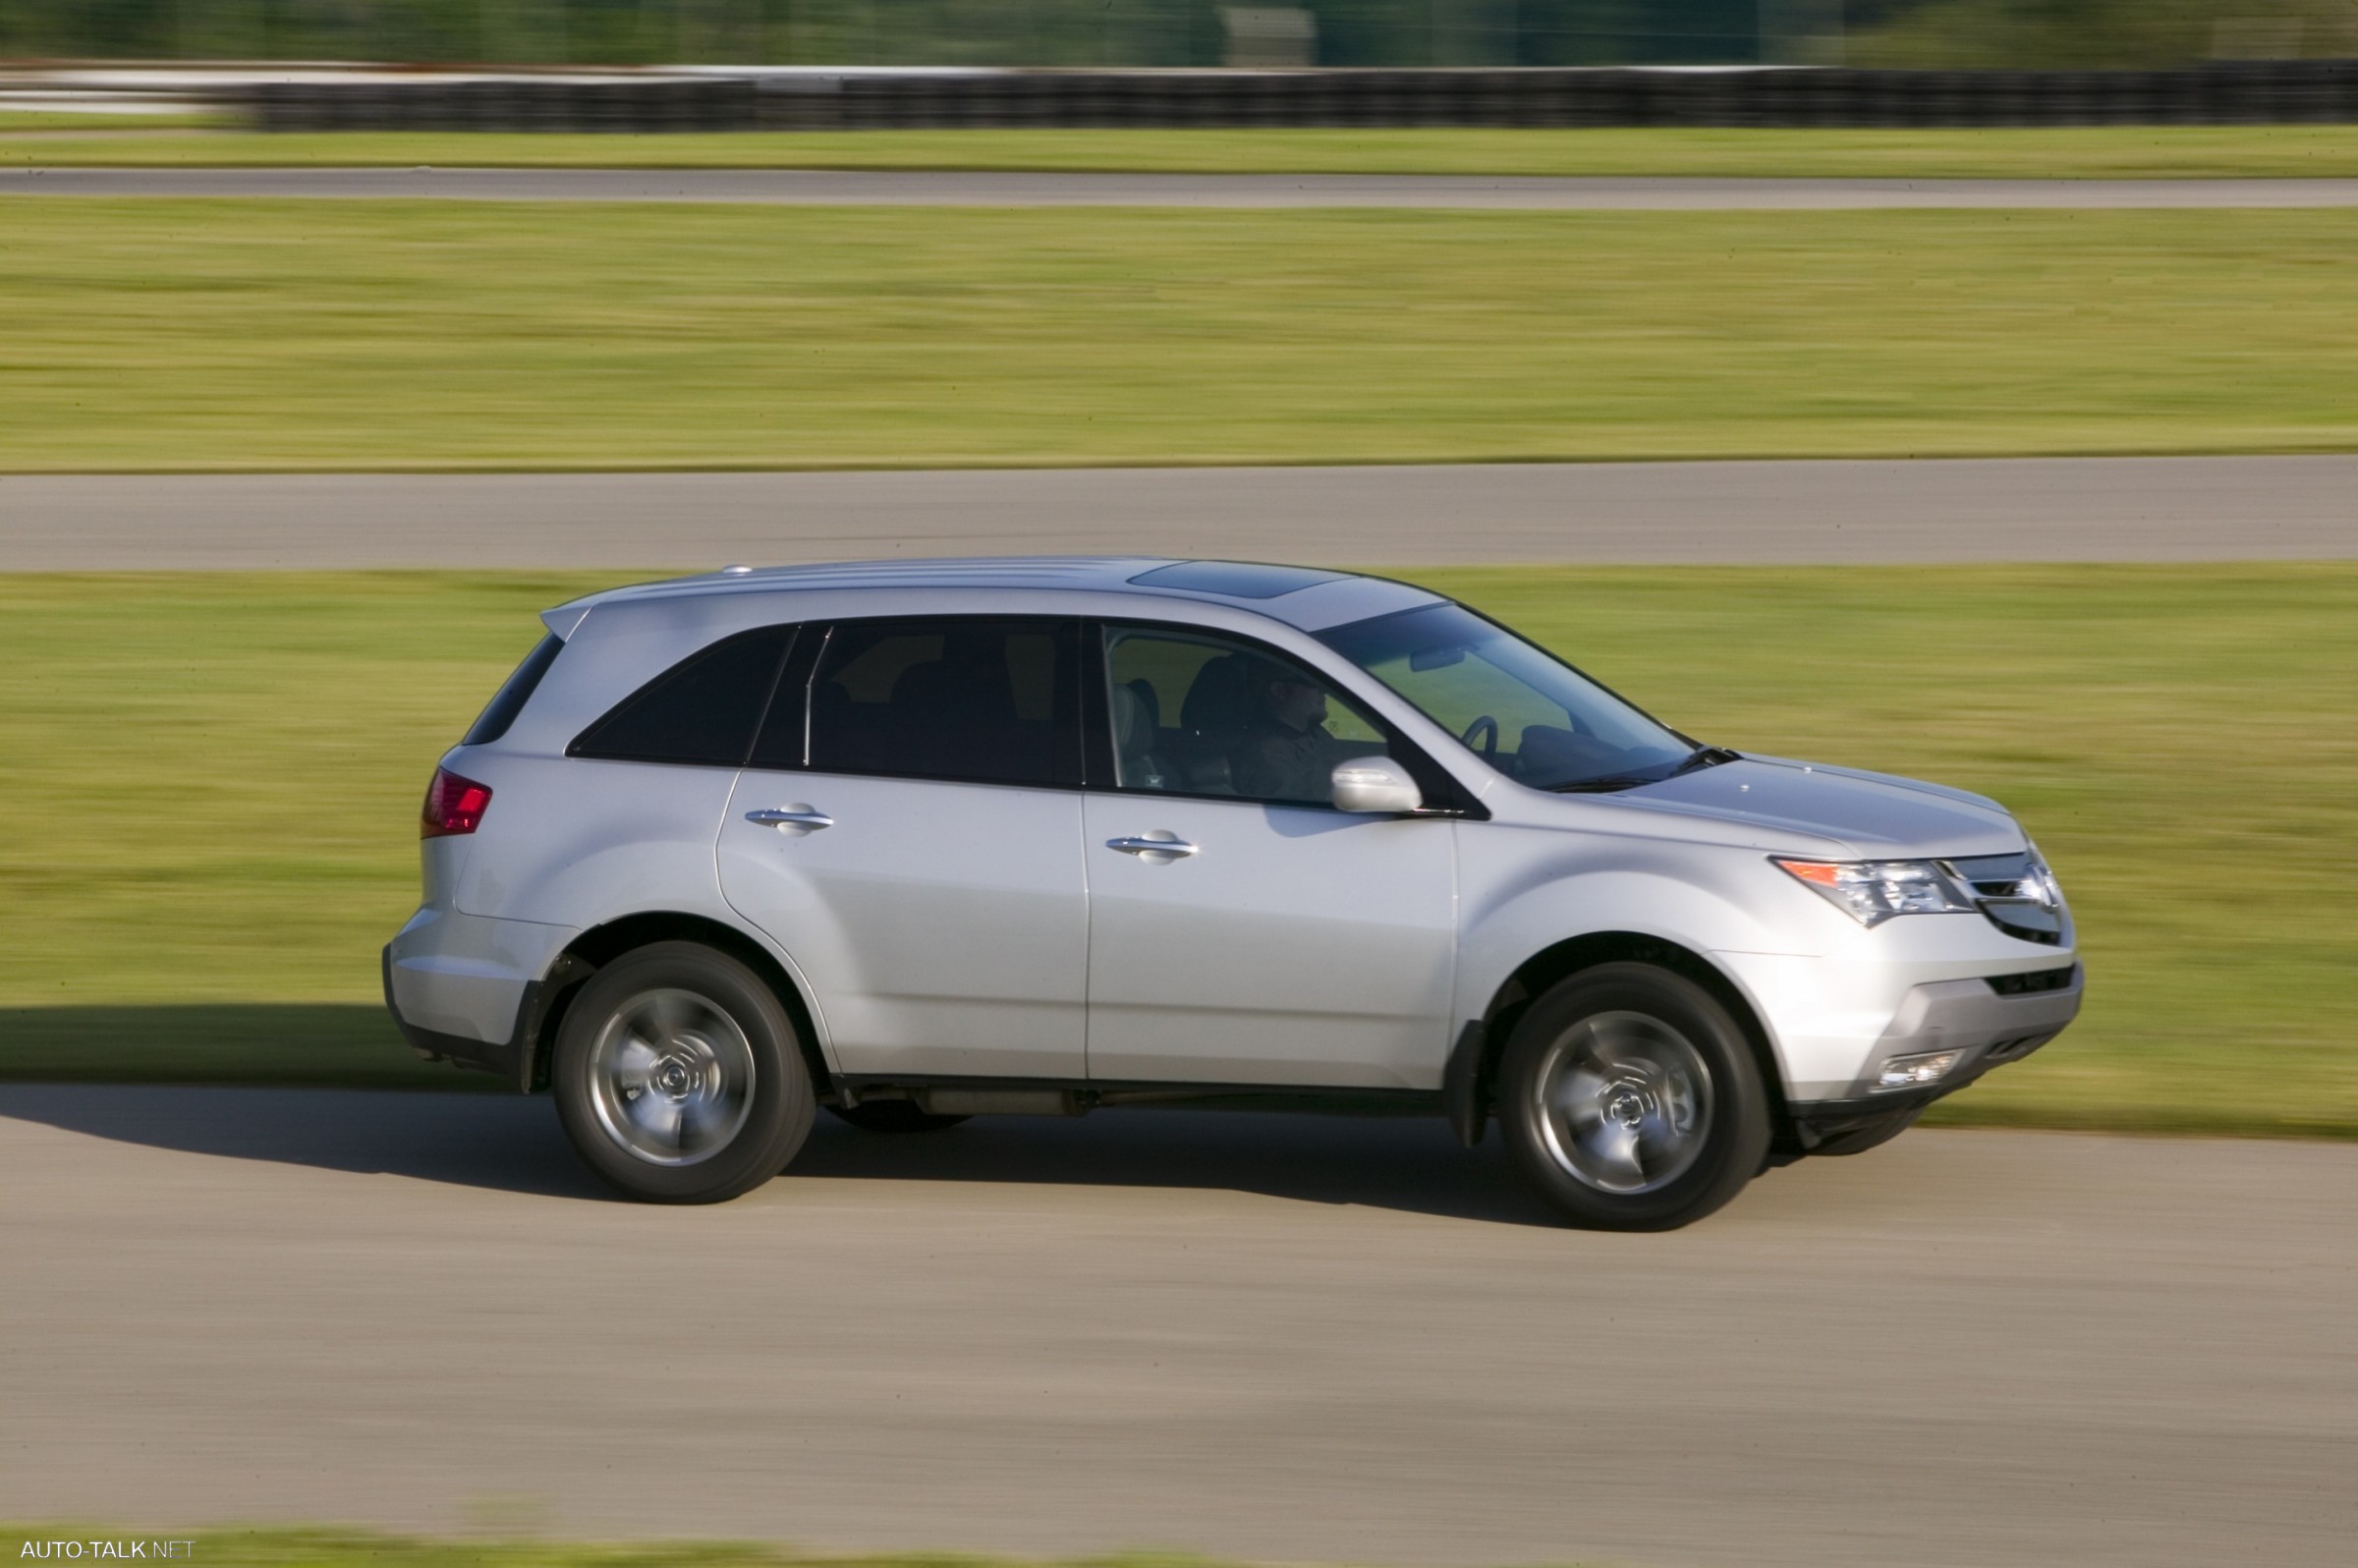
x=987, y=701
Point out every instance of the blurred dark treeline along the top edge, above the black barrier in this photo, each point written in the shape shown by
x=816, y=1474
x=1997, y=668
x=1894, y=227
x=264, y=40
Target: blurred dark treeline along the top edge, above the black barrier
x=1951, y=34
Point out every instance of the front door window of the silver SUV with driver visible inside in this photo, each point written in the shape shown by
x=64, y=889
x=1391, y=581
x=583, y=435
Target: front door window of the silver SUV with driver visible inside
x=1206, y=716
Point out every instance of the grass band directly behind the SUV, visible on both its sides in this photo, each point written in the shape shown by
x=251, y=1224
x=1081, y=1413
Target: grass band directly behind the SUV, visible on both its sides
x=213, y=784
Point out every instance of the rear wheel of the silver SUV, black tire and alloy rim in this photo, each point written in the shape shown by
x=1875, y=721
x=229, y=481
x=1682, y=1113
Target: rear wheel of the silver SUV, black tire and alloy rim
x=723, y=1093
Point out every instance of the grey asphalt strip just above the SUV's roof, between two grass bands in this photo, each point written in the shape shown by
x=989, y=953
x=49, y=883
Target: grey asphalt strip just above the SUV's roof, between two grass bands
x=1805, y=513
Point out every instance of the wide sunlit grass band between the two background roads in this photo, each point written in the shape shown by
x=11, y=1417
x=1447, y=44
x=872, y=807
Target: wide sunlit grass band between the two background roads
x=334, y=336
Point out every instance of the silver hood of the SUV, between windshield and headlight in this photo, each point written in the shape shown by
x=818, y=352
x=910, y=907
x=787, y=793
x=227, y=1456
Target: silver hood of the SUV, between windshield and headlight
x=1876, y=815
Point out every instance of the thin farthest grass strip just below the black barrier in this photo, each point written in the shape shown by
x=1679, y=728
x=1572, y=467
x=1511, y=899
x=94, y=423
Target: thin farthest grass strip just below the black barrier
x=2123, y=152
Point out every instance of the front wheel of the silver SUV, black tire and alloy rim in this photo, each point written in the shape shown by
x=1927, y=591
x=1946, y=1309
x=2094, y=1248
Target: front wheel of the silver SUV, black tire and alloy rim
x=1631, y=1100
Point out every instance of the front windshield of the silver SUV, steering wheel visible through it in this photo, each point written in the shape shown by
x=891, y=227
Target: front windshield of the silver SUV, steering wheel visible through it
x=1522, y=711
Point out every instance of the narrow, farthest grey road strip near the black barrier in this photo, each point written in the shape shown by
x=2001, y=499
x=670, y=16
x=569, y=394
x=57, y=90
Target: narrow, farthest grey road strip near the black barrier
x=1015, y=190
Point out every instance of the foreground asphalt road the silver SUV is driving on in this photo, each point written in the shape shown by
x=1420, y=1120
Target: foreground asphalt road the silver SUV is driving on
x=1274, y=1338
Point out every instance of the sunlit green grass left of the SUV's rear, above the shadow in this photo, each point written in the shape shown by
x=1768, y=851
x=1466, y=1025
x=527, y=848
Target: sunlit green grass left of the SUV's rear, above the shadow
x=213, y=779
